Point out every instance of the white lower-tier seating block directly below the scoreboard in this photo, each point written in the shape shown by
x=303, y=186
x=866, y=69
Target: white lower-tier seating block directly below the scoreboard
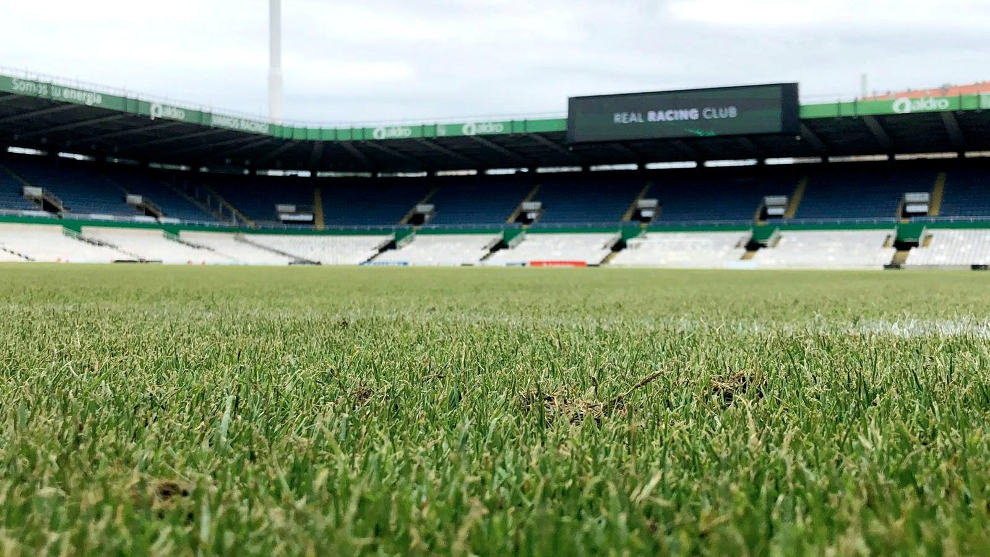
x=686, y=250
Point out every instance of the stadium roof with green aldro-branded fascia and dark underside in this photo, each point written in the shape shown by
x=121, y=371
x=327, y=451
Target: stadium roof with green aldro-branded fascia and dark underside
x=52, y=114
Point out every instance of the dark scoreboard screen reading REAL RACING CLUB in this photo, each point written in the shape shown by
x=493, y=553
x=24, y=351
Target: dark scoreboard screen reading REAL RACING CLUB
x=745, y=110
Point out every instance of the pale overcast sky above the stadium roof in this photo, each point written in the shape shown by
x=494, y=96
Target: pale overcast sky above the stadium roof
x=385, y=60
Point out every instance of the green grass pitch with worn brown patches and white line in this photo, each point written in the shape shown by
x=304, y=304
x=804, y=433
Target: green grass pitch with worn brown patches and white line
x=492, y=411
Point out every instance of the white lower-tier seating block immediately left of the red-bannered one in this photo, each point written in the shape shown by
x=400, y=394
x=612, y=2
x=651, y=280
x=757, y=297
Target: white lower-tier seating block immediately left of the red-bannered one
x=442, y=249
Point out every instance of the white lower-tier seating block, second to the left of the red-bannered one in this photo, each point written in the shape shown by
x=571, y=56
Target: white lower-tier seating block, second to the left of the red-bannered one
x=326, y=250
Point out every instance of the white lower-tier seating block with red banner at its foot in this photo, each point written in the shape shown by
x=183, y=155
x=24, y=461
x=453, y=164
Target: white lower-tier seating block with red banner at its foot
x=538, y=249
